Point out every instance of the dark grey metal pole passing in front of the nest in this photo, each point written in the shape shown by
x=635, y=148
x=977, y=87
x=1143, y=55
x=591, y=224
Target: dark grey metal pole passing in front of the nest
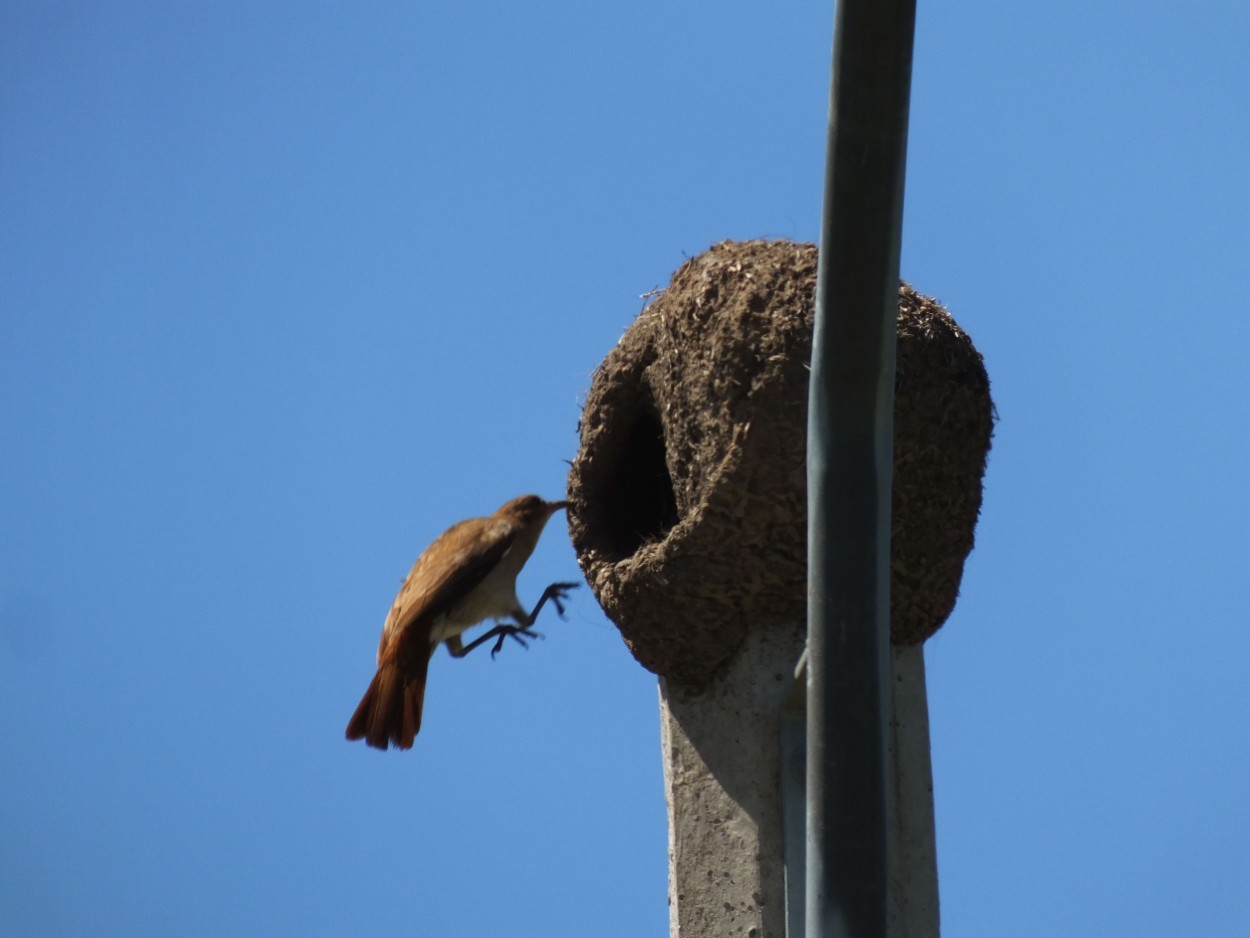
x=849, y=472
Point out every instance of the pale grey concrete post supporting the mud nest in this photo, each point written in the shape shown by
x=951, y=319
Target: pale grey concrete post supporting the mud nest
x=731, y=797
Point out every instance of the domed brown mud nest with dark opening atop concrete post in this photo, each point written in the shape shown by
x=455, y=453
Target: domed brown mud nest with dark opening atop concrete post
x=688, y=498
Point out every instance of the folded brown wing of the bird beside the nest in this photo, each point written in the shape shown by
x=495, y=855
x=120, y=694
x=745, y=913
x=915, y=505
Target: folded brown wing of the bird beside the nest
x=457, y=562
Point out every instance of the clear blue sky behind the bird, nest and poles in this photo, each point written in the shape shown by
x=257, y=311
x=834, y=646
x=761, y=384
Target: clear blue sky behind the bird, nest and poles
x=289, y=288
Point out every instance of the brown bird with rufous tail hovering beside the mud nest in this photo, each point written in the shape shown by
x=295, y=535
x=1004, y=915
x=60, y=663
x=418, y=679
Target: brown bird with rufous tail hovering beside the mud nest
x=466, y=577
